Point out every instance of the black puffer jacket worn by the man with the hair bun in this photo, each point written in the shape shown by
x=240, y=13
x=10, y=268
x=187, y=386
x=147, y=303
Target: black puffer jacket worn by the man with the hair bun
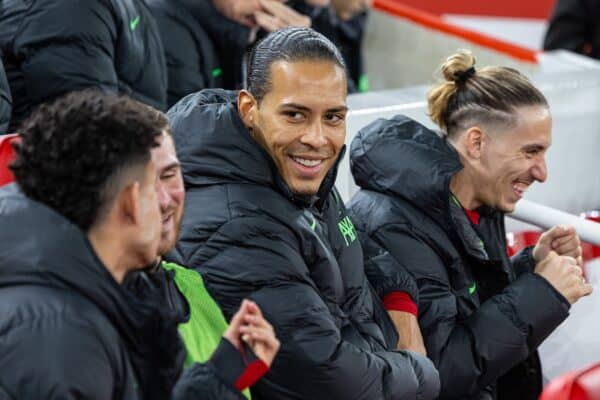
x=482, y=317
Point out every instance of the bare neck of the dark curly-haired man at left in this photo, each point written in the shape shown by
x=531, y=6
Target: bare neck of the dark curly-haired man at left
x=107, y=247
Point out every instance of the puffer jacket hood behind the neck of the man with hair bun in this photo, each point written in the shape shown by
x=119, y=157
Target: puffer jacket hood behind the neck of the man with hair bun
x=390, y=155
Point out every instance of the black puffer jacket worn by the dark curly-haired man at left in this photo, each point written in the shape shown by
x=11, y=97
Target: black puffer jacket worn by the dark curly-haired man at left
x=71, y=329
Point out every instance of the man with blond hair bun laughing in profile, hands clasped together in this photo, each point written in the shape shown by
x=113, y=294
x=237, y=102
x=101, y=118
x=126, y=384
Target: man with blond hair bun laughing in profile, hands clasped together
x=433, y=206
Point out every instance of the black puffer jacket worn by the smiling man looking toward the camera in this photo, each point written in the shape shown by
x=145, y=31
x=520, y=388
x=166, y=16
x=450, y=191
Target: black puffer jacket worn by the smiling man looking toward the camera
x=251, y=237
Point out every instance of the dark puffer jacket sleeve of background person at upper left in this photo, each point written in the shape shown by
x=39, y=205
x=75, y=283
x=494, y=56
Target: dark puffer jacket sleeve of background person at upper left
x=58, y=58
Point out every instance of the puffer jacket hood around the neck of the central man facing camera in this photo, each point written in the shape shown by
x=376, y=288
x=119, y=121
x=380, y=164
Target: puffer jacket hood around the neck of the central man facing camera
x=218, y=156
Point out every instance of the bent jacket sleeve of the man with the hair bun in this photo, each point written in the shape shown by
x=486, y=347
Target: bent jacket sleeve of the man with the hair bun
x=474, y=352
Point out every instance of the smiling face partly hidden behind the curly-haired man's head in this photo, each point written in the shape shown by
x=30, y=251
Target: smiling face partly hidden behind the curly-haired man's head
x=170, y=191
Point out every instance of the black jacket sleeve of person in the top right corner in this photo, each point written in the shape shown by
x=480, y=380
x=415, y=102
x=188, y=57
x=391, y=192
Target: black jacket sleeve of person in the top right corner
x=570, y=26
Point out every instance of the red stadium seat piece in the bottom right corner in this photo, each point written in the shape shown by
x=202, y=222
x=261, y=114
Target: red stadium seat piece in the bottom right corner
x=583, y=384
